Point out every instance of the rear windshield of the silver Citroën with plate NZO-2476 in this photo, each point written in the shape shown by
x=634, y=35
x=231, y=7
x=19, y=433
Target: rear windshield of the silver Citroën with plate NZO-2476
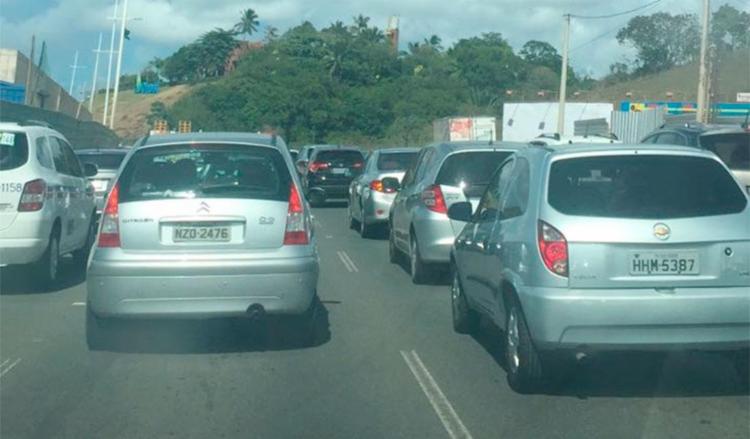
x=205, y=171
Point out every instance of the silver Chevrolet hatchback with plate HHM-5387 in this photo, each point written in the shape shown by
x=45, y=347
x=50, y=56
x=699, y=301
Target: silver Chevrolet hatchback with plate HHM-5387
x=585, y=248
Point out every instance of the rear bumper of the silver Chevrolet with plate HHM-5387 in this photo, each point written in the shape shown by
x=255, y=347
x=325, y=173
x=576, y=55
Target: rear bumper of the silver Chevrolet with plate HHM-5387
x=638, y=319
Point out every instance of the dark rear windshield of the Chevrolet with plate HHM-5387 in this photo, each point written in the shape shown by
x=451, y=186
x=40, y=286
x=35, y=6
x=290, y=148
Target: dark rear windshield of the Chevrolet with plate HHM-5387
x=646, y=186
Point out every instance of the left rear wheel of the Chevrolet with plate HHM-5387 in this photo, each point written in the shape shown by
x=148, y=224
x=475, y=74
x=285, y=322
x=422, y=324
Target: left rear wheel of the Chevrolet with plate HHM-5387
x=522, y=361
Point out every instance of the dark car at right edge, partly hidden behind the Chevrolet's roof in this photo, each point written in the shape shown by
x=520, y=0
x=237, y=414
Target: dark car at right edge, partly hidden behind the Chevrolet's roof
x=730, y=142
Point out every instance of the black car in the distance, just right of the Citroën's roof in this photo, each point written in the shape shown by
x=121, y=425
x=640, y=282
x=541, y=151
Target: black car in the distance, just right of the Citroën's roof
x=329, y=172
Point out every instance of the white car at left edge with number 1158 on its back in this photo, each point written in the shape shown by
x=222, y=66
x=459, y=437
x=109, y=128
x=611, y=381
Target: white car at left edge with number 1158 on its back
x=47, y=206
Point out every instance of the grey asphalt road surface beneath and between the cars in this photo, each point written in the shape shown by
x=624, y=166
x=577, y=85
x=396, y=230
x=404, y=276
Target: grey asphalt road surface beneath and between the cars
x=388, y=366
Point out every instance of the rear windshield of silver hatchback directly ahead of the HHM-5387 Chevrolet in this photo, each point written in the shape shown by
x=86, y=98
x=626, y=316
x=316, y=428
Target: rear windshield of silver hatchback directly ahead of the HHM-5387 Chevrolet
x=471, y=170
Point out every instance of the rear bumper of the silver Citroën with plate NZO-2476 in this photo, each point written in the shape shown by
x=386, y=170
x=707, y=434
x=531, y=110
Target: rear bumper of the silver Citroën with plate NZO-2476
x=201, y=289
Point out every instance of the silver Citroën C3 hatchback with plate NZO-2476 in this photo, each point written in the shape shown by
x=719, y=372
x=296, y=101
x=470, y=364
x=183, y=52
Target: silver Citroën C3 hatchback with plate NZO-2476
x=201, y=226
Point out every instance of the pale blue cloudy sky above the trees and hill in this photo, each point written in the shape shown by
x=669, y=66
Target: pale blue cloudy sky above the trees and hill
x=165, y=25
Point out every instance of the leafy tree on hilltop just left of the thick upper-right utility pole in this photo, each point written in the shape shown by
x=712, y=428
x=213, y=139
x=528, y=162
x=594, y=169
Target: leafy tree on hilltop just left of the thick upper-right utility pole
x=662, y=40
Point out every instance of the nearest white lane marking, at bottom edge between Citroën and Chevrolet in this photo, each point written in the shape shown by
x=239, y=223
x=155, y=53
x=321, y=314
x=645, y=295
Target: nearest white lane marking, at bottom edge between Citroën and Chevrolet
x=443, y=408
